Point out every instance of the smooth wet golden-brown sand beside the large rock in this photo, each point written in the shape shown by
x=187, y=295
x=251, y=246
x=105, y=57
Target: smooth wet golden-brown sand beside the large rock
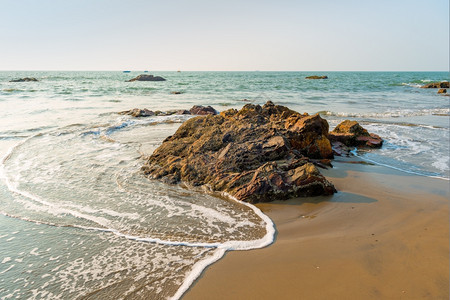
x=384, y=235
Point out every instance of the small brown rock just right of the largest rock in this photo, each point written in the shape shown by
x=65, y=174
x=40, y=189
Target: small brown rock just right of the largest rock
x=351, y=134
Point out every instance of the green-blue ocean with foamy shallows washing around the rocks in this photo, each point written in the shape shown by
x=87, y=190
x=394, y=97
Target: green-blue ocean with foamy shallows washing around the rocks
x=78, y=219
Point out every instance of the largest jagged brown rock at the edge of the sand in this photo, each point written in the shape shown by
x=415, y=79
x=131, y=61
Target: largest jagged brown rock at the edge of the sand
x=256, y=154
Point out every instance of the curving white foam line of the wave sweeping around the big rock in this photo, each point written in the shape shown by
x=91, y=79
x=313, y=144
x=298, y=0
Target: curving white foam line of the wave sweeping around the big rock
x=106, y=226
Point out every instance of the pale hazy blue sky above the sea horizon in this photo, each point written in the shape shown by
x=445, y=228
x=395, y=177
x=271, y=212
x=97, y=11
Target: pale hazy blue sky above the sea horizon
x=232, y=35
